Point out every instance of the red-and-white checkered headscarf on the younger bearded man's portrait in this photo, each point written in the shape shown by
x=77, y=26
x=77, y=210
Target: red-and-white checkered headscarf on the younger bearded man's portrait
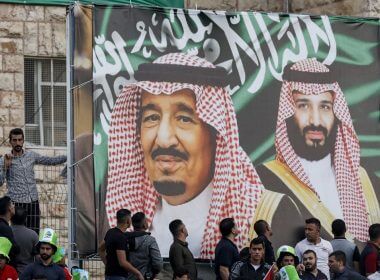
x=346, y=150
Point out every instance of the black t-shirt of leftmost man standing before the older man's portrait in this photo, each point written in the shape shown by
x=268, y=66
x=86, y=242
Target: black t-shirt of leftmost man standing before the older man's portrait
x=115, y=240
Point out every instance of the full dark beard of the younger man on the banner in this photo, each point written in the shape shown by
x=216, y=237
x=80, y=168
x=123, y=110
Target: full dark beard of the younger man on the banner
x=317, y=151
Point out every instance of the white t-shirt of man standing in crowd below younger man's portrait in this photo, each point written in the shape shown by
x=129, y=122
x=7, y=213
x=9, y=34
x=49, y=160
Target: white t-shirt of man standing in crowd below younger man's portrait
x=323, y=249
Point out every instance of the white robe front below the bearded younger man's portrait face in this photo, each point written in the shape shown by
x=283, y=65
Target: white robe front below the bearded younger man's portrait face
x=322, y=177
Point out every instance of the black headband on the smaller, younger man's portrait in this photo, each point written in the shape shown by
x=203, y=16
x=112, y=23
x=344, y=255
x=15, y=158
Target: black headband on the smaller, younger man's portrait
x=307, y=77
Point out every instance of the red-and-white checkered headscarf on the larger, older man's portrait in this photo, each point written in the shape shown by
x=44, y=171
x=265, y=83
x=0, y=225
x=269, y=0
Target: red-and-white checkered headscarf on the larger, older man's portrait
x=236, y=186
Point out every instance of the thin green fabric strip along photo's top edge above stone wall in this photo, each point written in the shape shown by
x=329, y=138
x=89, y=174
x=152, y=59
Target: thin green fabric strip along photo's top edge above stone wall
x=155, y=3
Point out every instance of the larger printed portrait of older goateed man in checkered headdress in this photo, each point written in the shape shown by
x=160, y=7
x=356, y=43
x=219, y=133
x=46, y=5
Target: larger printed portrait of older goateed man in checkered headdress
x=174, y=153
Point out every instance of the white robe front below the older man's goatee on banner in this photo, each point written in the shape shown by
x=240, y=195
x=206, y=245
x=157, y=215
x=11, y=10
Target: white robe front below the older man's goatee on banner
x=193, y=214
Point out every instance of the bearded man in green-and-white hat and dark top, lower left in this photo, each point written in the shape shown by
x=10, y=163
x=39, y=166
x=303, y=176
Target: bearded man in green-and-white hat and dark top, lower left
x=47, y=246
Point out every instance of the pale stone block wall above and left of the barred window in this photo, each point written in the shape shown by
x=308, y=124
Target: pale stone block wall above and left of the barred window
x=25, y=30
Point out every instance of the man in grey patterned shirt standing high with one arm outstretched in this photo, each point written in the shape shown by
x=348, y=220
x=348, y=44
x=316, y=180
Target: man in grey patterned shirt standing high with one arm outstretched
x=17, y=168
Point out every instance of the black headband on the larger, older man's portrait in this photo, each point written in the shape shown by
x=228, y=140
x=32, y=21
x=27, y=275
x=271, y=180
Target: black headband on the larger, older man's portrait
x=175, y=73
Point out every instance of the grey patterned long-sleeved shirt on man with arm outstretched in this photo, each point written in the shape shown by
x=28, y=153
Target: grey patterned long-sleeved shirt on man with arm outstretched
x=20, y=175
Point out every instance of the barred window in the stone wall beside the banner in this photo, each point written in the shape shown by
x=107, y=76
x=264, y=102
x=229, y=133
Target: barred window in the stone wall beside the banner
x=45, y=102
